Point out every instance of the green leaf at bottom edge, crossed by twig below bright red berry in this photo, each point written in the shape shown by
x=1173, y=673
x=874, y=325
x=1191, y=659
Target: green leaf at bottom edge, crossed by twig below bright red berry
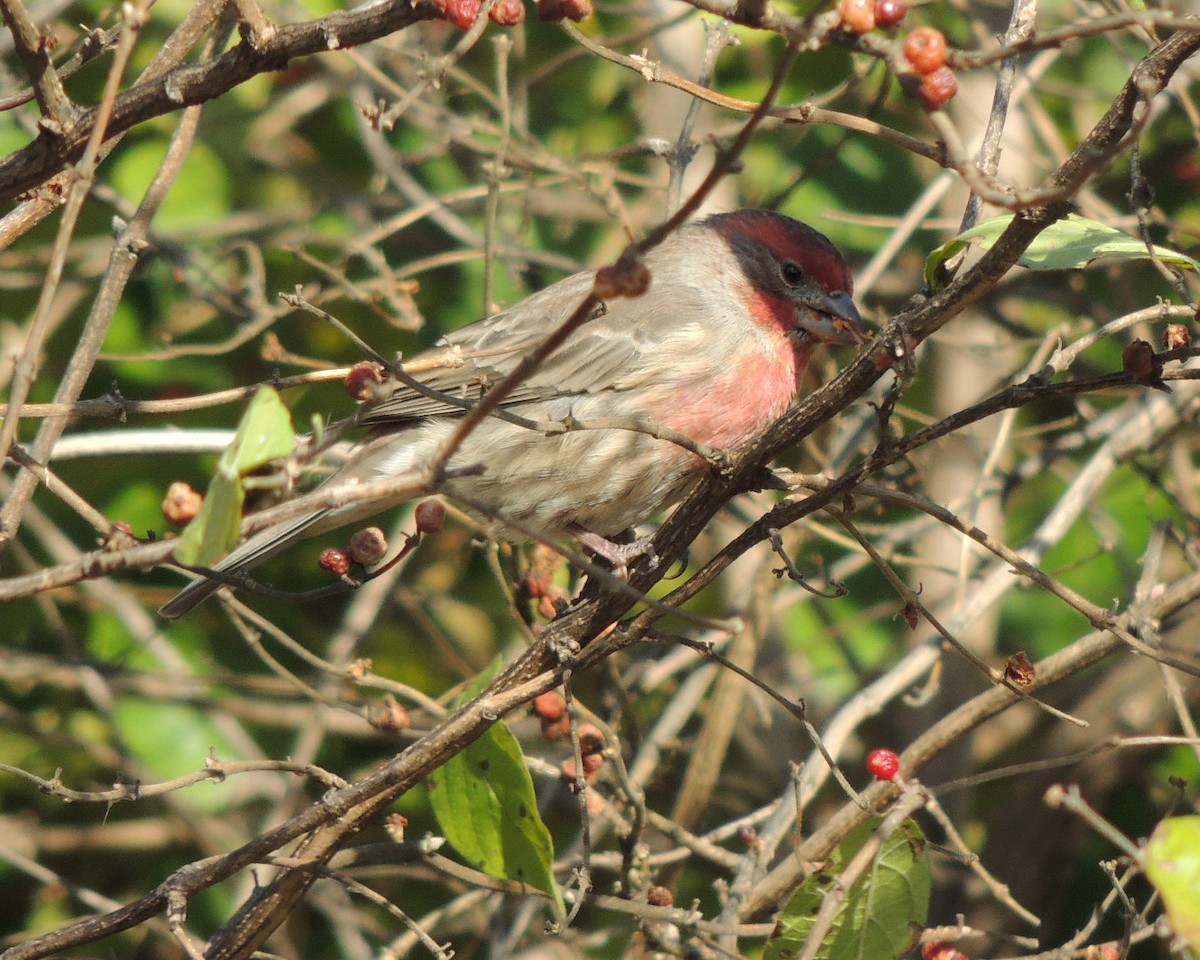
x=881, y=916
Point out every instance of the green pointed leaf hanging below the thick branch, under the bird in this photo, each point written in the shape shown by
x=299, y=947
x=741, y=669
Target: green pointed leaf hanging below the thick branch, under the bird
x=485, y=805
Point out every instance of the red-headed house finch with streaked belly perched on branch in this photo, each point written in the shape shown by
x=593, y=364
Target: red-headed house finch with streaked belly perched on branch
x=713, y=350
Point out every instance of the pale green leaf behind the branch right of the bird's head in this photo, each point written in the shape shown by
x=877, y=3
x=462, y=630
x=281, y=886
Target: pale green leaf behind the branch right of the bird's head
x=1070, y=244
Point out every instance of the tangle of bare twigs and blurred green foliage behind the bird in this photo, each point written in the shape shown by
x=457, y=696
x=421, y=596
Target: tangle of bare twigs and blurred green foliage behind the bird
x=409, y=177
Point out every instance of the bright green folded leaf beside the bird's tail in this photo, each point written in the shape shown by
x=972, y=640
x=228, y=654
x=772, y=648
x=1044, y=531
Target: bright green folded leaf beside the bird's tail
x=263, y=435
